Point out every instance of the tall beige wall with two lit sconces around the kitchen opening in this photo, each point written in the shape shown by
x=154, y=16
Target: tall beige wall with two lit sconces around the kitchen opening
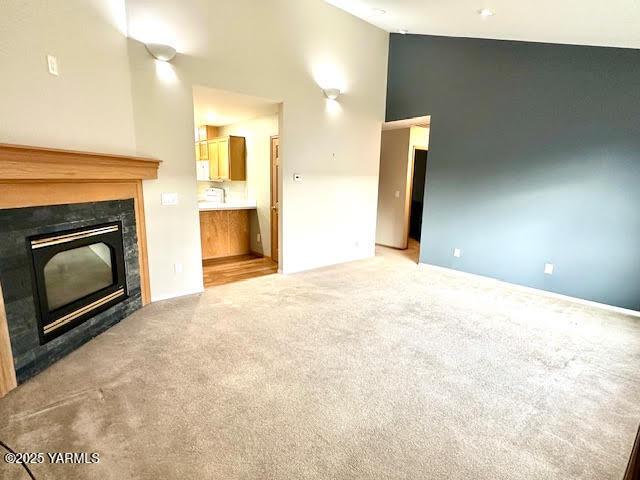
x=276, y=50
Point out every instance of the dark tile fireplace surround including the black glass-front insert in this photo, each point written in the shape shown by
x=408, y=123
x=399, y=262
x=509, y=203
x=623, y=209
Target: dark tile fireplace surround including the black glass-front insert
x=68, y=273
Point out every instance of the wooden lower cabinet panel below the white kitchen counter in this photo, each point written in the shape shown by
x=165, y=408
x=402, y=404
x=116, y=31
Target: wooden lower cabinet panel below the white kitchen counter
x=224, y=233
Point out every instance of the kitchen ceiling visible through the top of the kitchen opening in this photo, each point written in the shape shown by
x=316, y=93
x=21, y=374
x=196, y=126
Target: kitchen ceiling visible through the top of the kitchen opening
x=219, y=107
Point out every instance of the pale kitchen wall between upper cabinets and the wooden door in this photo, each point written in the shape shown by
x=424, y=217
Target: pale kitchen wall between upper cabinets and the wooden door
x=258, y=133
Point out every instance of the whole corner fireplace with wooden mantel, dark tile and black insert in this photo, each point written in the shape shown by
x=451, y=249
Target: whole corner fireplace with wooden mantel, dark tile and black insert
x=73, y=252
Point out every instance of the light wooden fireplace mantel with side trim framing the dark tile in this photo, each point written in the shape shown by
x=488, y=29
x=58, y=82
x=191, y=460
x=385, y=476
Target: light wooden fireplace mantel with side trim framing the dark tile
x=37, y=176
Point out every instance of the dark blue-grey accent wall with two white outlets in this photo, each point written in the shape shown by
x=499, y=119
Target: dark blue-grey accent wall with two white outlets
x=534, y=157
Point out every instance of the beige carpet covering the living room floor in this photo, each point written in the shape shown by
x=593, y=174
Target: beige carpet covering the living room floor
x=377, y=369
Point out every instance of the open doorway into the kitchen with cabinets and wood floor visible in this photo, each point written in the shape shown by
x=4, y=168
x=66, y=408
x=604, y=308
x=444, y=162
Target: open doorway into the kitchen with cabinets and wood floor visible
x=238, y=196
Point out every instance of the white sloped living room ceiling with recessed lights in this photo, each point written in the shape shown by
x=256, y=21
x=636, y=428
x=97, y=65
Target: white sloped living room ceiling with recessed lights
x=581, y=22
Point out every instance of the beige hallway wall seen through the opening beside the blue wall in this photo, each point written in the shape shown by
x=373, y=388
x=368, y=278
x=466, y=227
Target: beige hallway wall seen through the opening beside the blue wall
x=394, y=186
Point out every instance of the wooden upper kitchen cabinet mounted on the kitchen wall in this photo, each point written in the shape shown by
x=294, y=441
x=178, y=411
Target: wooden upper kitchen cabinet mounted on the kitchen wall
x=227, y=158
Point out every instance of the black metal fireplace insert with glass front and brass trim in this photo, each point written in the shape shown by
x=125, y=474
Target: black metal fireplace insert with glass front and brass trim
x=76, y=274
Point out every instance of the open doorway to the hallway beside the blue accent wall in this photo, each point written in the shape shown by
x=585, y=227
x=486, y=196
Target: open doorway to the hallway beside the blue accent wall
x=402, y=183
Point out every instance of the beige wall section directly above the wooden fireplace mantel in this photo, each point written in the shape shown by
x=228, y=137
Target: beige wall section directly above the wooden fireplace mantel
x=88, y=106
